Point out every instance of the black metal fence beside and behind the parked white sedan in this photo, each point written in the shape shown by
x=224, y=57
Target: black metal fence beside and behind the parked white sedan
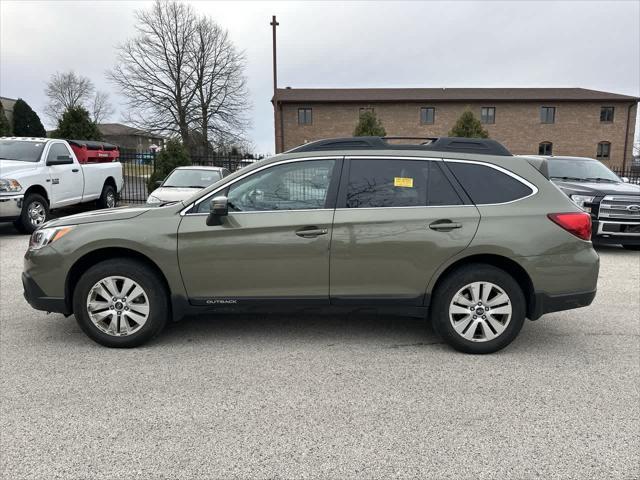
x=137, y=168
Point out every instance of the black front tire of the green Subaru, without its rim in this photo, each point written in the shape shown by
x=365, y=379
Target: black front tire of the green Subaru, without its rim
x=141, y=274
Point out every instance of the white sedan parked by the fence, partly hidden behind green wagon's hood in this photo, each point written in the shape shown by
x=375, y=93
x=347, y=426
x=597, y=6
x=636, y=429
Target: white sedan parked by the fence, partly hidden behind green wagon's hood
x=183, y=182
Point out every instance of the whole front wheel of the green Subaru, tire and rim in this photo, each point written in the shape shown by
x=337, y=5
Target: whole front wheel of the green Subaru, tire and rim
x=121, y=303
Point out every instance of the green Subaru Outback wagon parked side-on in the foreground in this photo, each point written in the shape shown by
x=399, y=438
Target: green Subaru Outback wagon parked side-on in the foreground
x=457, y=230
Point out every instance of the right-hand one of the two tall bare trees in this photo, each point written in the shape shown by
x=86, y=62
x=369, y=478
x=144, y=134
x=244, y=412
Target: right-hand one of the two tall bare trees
x=221, y=92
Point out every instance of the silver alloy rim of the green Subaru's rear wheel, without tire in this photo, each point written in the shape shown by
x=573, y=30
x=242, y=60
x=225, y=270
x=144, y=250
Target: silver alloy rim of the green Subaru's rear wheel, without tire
x=480, y=311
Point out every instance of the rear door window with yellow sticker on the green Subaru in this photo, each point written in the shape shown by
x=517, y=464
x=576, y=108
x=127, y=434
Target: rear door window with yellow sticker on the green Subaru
x=384, y=183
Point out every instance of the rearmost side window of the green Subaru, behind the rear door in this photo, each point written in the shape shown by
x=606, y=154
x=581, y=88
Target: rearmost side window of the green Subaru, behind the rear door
x=486, y=185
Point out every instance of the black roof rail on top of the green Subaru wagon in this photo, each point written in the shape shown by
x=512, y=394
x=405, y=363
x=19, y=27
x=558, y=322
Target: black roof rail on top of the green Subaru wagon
x=439, y=144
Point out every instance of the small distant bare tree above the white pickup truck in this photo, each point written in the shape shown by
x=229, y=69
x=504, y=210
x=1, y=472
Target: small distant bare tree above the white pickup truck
x=67, y=90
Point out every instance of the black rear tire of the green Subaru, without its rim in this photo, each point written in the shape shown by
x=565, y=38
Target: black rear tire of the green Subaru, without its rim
x=457, y=280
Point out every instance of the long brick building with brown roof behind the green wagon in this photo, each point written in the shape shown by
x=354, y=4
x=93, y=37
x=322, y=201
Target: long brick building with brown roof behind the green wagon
x=558, y=121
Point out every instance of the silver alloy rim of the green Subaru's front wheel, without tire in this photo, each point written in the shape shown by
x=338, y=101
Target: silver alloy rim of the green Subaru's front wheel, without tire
x=118, y=306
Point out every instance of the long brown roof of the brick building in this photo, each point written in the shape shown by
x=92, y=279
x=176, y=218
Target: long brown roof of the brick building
x=343, y=95
